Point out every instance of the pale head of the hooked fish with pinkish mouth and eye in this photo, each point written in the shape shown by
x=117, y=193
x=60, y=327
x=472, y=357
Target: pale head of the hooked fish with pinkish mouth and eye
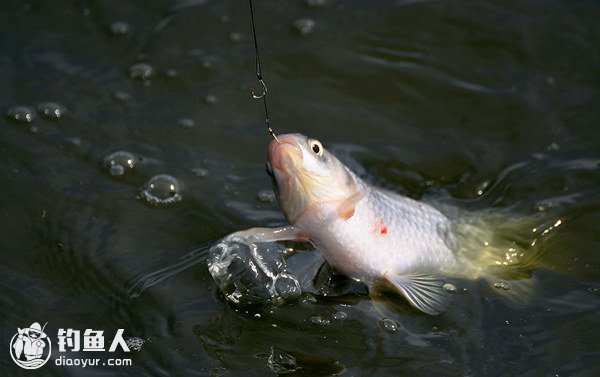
x=304, y=173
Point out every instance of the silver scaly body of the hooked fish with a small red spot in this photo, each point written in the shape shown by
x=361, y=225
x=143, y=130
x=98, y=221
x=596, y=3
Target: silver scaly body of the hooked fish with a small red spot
x=387, y=234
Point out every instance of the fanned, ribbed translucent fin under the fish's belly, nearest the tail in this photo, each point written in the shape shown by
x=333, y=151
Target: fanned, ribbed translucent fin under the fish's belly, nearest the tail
x=425, y=292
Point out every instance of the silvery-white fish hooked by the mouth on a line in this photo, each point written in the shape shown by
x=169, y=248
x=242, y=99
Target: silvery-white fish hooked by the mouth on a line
x=373, y=235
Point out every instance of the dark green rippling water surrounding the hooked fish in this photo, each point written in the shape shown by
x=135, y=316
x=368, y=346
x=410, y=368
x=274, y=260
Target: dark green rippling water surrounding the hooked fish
x=482, y=104
